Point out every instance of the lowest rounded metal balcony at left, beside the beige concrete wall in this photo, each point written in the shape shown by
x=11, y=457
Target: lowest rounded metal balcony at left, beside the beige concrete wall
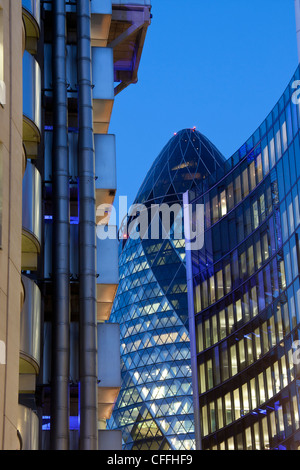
x=28, y=427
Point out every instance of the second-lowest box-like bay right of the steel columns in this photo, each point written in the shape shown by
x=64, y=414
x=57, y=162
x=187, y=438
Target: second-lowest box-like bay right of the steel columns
x=109, y=368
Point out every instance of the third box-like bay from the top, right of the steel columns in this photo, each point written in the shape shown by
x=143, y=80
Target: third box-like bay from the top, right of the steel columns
x=106, y=182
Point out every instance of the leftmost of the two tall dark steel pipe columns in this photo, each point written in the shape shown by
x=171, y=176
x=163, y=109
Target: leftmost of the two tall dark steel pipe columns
x=61, y=236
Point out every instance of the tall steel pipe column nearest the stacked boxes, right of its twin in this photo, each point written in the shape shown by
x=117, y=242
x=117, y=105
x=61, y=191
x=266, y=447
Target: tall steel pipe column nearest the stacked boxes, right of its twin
x=87, y=235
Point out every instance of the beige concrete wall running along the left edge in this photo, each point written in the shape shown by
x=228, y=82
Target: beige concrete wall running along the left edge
x=12, y=165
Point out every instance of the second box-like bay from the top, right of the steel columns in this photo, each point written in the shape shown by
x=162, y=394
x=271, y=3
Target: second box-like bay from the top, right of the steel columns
x=103, y=92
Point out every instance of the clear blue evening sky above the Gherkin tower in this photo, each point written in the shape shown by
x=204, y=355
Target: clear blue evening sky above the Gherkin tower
x=214, y=64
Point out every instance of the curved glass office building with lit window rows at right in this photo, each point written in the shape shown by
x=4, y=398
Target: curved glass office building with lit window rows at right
x=246, y=290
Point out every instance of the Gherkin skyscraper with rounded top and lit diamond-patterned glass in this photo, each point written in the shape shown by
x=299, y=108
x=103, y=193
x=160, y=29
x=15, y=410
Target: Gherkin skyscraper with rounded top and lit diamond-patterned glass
x=155, y=405
